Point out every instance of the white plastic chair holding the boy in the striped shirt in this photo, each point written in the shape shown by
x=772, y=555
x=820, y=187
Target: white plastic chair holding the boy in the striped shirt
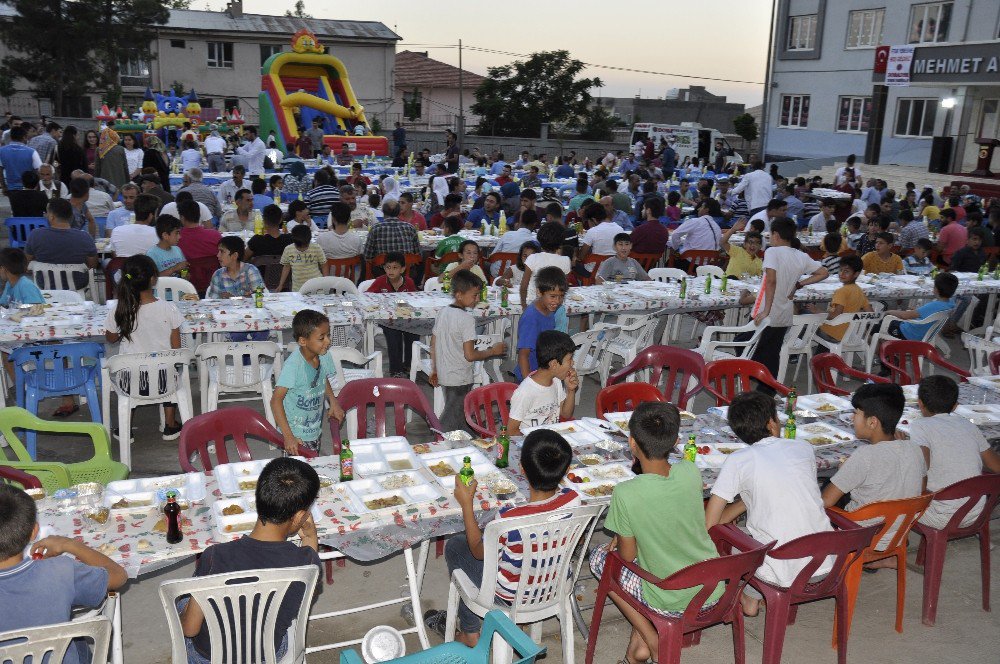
x=546, y=583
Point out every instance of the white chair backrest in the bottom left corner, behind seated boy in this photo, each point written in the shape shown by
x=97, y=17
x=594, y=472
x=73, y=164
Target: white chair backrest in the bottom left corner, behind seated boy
x=50, y=642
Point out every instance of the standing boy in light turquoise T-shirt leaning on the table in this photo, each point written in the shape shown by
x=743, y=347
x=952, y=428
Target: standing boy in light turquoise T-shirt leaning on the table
x=304, y=382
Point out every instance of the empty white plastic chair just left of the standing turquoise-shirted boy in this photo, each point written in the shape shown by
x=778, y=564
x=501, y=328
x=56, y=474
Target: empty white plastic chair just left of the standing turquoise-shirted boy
x=237, y=368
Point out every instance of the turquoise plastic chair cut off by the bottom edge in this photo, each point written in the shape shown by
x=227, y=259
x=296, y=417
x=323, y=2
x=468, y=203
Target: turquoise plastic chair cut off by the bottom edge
x=495, y=624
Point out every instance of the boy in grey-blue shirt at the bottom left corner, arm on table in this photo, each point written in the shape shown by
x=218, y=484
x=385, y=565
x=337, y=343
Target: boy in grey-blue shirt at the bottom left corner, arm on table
x=42, y=591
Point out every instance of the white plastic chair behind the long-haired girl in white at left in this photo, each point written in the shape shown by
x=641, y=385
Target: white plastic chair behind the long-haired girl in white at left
x=130, y=377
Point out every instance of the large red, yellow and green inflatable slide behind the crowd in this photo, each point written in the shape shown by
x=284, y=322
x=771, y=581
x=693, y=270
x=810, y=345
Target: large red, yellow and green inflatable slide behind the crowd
x=306, y=83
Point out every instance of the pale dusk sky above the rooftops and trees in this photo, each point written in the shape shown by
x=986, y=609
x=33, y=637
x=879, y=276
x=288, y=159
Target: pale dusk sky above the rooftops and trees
x=721, y=39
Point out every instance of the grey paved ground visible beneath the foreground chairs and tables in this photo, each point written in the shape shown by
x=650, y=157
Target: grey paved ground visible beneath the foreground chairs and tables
x=964, y=633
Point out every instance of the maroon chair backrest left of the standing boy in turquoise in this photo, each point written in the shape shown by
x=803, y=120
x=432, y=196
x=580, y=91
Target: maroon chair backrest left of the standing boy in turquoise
x=214, y=429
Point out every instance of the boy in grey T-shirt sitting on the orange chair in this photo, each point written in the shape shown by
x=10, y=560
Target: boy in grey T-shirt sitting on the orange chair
x=887, y=469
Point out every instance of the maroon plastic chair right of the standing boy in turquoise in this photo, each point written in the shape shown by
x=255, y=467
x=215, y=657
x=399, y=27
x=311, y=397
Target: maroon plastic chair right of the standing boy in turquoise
x=403, y=394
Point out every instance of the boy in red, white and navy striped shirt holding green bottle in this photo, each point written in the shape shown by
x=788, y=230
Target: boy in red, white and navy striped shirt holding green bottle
x=545, y=457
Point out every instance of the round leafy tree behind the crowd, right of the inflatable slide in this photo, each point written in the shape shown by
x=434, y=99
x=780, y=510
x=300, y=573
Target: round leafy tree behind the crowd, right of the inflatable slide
x=515, y=99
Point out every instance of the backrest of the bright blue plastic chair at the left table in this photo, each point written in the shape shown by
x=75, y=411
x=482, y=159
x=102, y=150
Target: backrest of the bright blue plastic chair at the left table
x=52, y=368
